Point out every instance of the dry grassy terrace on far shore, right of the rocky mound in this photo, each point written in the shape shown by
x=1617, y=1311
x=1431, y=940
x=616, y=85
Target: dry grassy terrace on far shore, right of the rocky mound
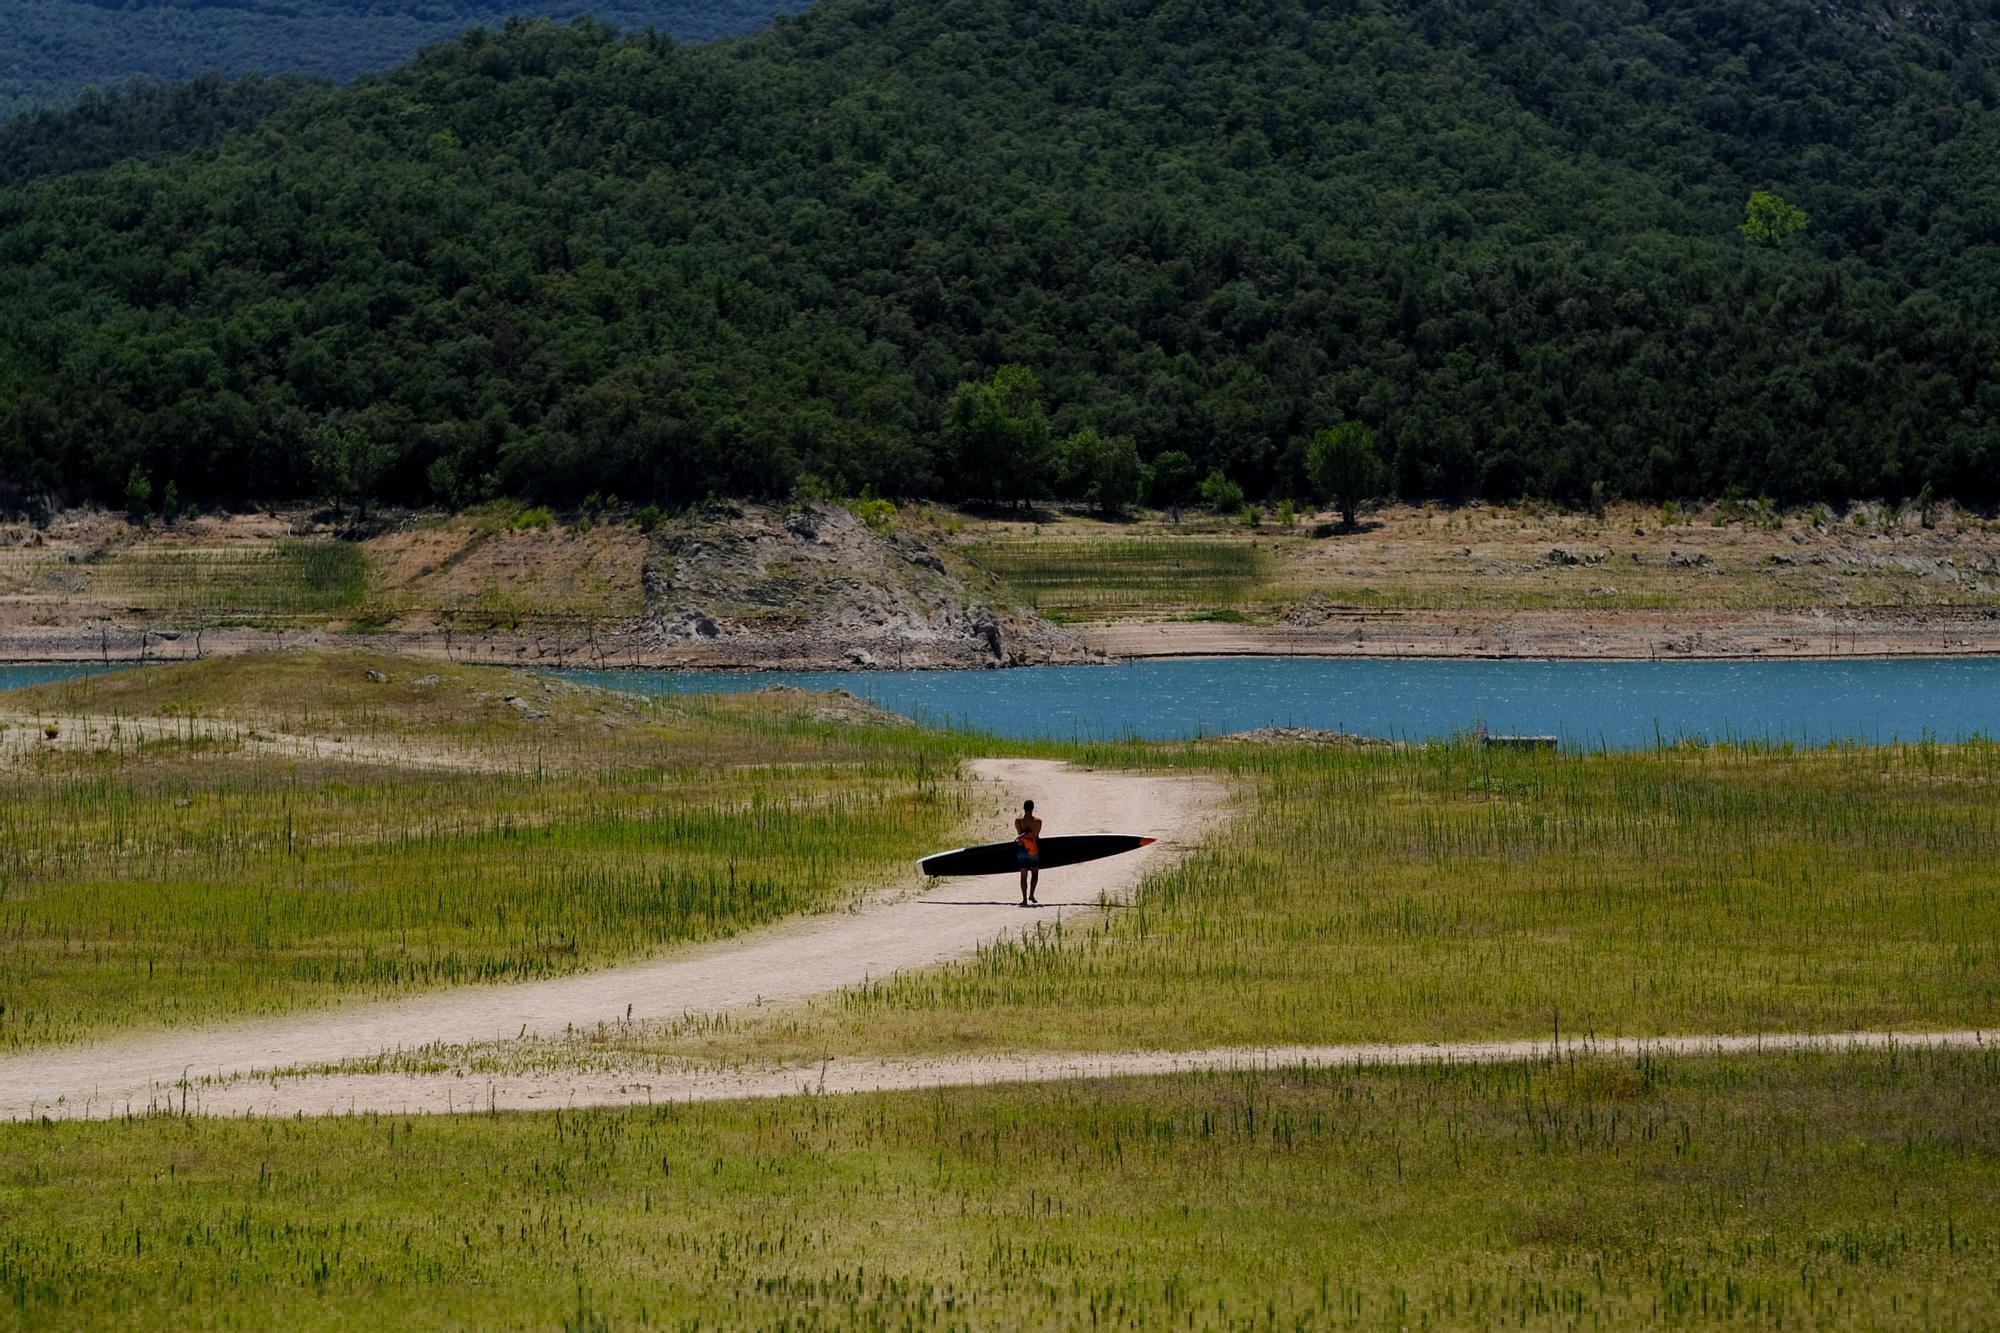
x=1725, y=557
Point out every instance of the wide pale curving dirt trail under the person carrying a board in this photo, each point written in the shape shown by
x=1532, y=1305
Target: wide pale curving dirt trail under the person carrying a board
x=903, y=928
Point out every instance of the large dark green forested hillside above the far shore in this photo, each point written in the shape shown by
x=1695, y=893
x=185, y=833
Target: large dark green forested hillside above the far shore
x=1509, y=239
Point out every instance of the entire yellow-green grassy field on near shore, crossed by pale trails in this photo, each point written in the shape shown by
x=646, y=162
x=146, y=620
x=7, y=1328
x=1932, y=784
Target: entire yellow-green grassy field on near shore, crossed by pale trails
x=255, y=836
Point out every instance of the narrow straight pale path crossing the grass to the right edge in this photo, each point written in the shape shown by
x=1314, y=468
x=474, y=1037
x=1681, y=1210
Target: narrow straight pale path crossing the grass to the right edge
x=447, y=1094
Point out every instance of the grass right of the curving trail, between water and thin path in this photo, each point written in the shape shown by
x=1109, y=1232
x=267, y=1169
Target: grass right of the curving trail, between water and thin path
x=1463, y=894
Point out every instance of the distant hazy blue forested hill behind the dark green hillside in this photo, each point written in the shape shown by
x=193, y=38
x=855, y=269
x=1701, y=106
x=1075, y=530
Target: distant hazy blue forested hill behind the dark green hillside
x=51, y=51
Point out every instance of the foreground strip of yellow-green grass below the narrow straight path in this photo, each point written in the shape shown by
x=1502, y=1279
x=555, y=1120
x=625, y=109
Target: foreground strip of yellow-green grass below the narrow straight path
x=1781, y=1192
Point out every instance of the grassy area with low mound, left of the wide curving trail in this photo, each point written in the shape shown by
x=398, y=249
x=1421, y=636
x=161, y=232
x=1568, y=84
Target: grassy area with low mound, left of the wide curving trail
x=251, y=836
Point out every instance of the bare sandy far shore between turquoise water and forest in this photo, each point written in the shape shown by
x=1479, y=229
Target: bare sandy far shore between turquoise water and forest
x=1413, y=581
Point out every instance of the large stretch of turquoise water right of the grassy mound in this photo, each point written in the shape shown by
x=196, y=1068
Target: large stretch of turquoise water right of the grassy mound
x=1587, y=704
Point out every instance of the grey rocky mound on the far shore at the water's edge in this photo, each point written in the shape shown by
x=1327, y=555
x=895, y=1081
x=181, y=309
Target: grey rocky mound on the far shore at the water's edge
x=817, y=587
